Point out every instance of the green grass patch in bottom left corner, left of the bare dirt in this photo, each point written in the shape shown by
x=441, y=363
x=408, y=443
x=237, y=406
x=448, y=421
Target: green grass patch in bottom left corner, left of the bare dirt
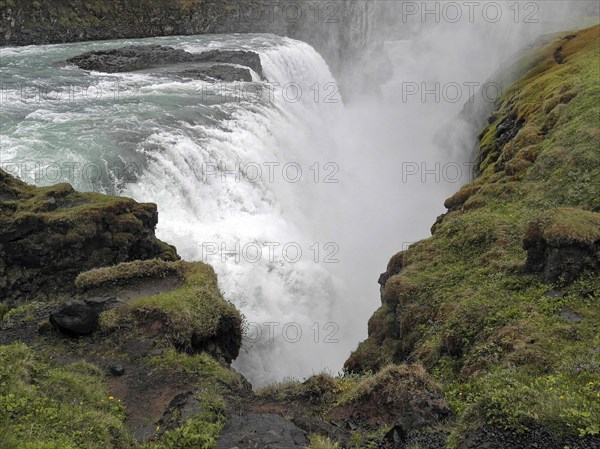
x=48, y=406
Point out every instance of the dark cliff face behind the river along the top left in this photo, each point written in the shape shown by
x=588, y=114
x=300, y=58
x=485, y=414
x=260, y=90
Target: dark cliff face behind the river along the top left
x=56, y=21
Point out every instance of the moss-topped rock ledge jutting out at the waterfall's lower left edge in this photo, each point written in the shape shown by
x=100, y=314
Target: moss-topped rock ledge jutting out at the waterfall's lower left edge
x=189, y=314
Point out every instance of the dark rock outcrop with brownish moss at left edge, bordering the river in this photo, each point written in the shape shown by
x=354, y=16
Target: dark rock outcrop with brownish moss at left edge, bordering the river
x=49, y=235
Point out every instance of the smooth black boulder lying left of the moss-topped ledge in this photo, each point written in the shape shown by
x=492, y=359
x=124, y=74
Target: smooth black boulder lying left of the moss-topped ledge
x=77, y=317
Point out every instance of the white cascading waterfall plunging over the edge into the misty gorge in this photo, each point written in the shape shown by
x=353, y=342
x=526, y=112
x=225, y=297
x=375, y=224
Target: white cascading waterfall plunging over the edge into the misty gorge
x=251, y=226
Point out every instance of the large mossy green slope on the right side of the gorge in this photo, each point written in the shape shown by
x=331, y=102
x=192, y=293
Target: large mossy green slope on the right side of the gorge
x=511, y=349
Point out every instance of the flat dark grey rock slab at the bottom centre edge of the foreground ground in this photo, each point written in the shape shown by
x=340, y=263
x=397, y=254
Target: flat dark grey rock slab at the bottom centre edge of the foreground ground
x=261, y=431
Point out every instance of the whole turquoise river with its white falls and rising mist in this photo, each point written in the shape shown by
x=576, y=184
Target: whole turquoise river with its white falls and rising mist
x=295, y=198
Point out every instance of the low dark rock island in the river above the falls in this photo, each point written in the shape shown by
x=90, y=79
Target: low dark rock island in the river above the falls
x=142, y=57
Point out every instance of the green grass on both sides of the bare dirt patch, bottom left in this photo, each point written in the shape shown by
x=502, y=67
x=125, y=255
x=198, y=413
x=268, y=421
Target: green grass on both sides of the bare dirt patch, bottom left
x=44, y=405
